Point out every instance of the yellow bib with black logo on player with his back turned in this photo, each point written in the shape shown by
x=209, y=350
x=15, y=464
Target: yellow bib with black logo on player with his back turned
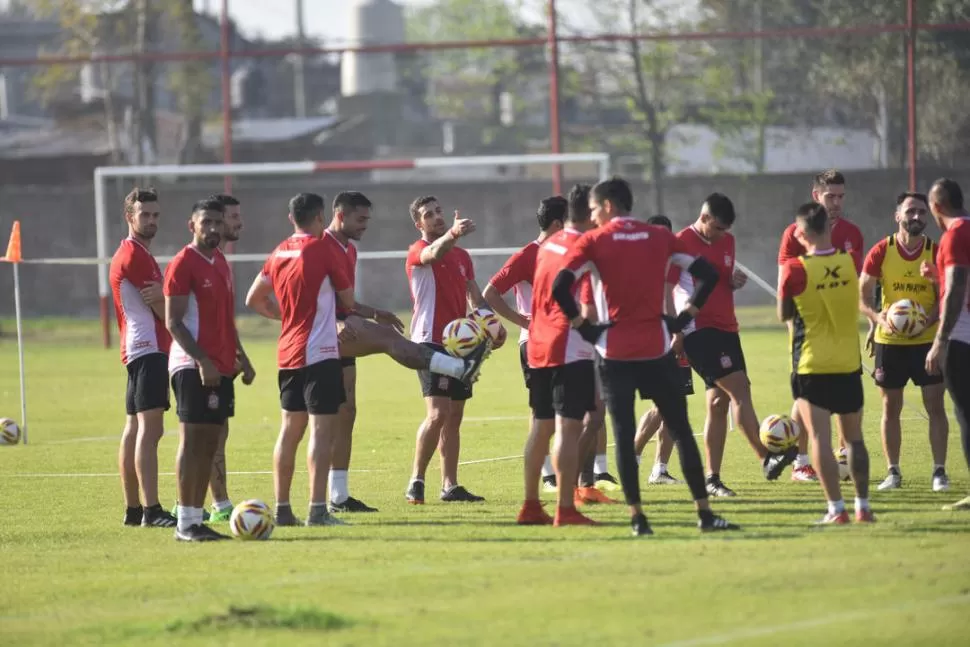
x=825, y=334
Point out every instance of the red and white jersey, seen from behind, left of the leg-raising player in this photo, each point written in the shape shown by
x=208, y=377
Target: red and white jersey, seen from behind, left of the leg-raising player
x=306, y=273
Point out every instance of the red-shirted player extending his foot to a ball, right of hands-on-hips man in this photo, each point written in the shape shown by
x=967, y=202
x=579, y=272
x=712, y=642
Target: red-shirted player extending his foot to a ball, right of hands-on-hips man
x=713, y=346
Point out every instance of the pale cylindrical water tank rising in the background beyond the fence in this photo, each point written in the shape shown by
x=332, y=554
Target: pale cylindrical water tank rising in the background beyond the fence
x=372, y=22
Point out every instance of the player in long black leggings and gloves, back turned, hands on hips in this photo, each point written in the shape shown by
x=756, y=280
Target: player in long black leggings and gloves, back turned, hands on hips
x=629, y=259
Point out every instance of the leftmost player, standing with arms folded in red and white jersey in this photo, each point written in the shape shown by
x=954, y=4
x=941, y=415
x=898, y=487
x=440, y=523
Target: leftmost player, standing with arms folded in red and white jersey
x=136, y=286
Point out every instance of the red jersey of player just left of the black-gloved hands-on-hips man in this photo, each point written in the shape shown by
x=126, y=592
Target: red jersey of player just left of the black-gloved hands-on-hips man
x=552, y=341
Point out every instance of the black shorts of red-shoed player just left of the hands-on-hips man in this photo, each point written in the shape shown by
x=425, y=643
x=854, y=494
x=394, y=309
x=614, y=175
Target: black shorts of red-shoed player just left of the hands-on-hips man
x=568, y=391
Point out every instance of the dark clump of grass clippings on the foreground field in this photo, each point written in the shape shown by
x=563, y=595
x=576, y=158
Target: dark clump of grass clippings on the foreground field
x=263, y=617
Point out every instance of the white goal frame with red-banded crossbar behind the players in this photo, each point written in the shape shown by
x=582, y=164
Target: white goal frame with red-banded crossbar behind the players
x=104, y=173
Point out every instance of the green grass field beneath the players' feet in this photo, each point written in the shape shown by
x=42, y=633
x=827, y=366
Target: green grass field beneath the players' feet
x=461, y=574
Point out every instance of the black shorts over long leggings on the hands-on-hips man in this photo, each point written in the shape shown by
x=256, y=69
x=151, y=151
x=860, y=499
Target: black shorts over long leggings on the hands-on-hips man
x=651, y=378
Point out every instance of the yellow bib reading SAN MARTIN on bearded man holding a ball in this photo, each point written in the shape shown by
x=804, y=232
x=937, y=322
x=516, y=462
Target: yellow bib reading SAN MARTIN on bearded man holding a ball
x=901, y=280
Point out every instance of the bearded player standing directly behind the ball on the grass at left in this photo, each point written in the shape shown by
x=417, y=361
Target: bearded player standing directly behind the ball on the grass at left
x=199, y=314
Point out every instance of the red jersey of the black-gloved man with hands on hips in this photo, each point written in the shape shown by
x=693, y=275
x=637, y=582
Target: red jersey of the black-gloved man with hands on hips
x=630, y=260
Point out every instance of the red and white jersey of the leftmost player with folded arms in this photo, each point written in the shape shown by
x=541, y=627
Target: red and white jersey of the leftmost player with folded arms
x=133, y=268
